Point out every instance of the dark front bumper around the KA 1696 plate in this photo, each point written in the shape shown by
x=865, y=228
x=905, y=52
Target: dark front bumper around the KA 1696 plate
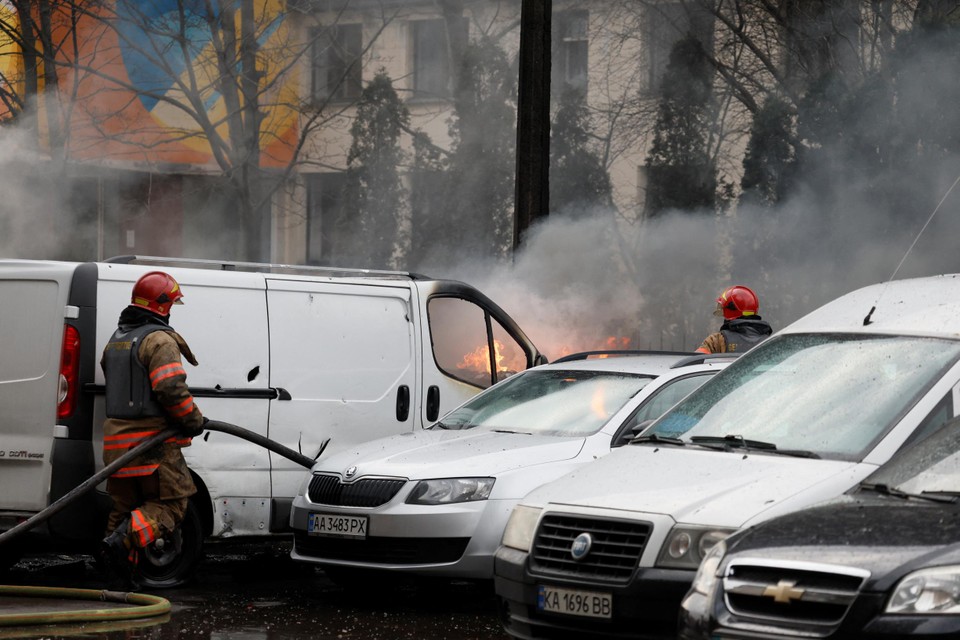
x=645, y=607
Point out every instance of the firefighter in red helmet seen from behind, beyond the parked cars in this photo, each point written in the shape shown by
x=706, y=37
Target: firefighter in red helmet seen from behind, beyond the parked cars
x=742, y=327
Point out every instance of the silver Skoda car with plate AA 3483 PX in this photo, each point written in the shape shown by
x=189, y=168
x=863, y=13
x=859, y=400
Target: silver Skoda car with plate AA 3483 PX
x=435, y=502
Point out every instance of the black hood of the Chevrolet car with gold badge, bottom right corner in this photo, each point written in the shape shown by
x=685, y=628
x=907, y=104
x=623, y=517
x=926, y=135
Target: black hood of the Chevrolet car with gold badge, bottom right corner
x=865, y=531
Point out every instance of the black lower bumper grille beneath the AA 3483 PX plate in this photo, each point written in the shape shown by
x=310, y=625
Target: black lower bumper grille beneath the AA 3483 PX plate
x=382, y=550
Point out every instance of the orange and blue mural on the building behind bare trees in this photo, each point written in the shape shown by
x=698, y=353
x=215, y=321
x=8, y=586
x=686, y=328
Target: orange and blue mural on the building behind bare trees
x=143, y=81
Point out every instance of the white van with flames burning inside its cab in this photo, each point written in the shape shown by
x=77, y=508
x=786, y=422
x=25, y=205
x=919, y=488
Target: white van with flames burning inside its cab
x=317, y=359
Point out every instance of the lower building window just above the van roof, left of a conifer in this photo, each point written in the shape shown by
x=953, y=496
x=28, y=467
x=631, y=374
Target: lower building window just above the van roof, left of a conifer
x=325, y=216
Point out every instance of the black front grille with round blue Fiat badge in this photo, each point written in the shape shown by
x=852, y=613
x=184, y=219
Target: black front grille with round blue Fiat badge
x=613, y=557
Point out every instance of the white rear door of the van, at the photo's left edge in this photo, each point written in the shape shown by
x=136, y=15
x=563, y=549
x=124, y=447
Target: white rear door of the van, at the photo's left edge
x=31, y=339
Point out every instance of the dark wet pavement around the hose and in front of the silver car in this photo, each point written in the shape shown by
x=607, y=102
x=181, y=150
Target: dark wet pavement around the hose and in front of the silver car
x=253, y=591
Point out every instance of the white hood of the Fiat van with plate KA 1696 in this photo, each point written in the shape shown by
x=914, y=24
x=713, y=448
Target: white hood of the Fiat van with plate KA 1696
x=698, y=486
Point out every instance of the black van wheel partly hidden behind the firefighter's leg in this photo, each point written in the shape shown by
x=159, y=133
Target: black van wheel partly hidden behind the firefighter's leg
x=175, y=562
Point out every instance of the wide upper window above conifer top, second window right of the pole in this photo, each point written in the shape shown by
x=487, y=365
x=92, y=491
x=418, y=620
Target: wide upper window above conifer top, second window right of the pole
x=665, y=24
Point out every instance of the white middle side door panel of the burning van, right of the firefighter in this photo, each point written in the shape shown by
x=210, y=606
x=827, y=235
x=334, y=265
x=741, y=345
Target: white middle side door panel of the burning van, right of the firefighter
x=345, y=353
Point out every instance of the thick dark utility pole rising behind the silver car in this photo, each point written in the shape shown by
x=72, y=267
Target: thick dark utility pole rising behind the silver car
x=533, y=118
